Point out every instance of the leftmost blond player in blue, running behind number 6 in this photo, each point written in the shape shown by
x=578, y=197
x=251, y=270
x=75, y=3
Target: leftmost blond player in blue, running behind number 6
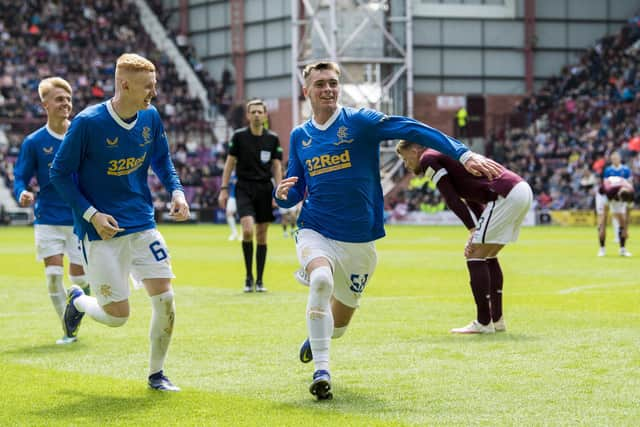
x=53, y=218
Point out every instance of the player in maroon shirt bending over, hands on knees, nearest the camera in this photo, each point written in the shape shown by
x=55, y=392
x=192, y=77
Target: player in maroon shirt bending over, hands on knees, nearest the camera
x=492, y=211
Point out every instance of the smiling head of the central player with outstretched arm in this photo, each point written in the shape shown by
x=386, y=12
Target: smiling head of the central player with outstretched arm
x=322, y=88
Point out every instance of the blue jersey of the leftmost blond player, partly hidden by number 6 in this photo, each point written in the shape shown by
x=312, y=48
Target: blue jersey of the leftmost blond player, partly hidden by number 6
x=36, y=155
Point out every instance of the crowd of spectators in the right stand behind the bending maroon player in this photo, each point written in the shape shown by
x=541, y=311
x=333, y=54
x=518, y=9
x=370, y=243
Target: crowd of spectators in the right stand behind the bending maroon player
x=569, y=129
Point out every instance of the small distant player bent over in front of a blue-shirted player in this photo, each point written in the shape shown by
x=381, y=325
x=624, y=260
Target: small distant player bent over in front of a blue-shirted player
x=615, y=194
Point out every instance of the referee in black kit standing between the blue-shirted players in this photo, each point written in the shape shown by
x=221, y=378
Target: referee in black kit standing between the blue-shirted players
x=256, y=155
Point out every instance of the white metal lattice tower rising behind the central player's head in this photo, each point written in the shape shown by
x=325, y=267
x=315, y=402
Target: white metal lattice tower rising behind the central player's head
x=318, y=21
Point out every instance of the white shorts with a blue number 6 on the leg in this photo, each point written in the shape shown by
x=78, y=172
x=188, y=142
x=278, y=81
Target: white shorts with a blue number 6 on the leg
x=144, y=255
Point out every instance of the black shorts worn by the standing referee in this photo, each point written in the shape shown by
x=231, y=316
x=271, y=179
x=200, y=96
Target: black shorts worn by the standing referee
x=254, y=199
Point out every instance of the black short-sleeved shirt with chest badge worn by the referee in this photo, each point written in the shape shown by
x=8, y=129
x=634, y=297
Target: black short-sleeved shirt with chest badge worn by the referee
x=254, y=154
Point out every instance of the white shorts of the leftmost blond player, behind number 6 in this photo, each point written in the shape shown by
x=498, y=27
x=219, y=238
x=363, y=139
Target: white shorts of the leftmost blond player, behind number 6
x=57, y=239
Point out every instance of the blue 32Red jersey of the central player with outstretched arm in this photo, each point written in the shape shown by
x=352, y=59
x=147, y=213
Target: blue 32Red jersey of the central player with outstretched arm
x=338, y=168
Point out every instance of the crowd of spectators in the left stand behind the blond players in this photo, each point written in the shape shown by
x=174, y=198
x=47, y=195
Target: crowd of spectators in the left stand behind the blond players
x=80, y=41
